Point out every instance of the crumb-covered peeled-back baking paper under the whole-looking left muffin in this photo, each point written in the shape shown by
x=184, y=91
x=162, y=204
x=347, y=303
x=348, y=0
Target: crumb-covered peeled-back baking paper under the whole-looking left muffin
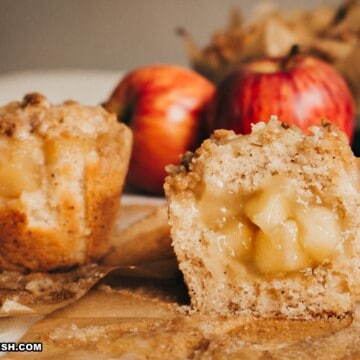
x=43, y=293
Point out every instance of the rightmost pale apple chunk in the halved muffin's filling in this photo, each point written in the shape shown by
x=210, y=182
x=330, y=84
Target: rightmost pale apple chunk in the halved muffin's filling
x=320, y=231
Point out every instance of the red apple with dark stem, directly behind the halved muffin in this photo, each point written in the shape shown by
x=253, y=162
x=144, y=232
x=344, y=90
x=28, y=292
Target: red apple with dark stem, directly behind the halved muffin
x=299, y=89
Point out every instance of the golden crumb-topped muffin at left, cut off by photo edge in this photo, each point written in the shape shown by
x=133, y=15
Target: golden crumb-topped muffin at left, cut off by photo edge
x=62, y=169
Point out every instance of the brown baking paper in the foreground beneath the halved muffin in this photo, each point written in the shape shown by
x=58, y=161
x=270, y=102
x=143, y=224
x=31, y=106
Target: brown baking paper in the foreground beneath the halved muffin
x=150, y=321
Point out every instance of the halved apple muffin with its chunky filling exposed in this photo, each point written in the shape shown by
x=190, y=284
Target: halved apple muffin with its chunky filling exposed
x=266, y=224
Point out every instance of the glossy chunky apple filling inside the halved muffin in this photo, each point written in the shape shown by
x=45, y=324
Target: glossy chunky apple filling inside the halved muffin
x=272, y=230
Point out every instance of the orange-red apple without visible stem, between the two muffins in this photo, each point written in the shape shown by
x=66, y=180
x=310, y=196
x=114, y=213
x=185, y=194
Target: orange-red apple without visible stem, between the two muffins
x=164, y=106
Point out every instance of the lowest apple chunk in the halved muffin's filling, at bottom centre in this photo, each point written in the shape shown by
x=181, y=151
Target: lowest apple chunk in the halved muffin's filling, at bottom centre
x=280, y=250
